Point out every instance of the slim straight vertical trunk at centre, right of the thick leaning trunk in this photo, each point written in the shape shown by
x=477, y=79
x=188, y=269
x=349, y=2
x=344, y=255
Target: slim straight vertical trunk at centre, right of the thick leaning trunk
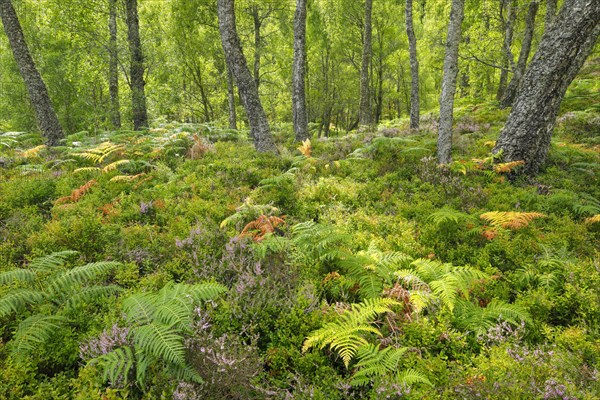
x=299, y=72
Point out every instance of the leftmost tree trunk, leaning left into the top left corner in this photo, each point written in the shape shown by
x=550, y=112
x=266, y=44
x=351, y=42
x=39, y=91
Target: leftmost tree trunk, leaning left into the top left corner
x=38, y=93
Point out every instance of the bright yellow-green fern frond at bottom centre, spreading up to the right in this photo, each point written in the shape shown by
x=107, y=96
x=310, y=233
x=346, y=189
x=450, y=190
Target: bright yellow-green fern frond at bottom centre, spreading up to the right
x=346, y=335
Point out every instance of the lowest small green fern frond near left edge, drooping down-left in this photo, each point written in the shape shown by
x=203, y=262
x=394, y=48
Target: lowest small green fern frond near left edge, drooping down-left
x=34, y=331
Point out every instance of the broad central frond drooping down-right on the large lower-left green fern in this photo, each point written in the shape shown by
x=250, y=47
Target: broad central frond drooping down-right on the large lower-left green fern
x=162, y=342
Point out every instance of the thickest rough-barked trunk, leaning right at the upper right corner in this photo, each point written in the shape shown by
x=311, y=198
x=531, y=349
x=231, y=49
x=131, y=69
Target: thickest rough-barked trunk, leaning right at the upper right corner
x=561, y=53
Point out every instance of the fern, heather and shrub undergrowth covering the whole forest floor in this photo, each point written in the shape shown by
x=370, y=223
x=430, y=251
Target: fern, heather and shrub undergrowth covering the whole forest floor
x=354, y=268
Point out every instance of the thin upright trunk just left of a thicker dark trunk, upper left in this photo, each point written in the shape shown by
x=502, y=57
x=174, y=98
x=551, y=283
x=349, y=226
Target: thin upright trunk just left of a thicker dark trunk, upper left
x=113, y=66
